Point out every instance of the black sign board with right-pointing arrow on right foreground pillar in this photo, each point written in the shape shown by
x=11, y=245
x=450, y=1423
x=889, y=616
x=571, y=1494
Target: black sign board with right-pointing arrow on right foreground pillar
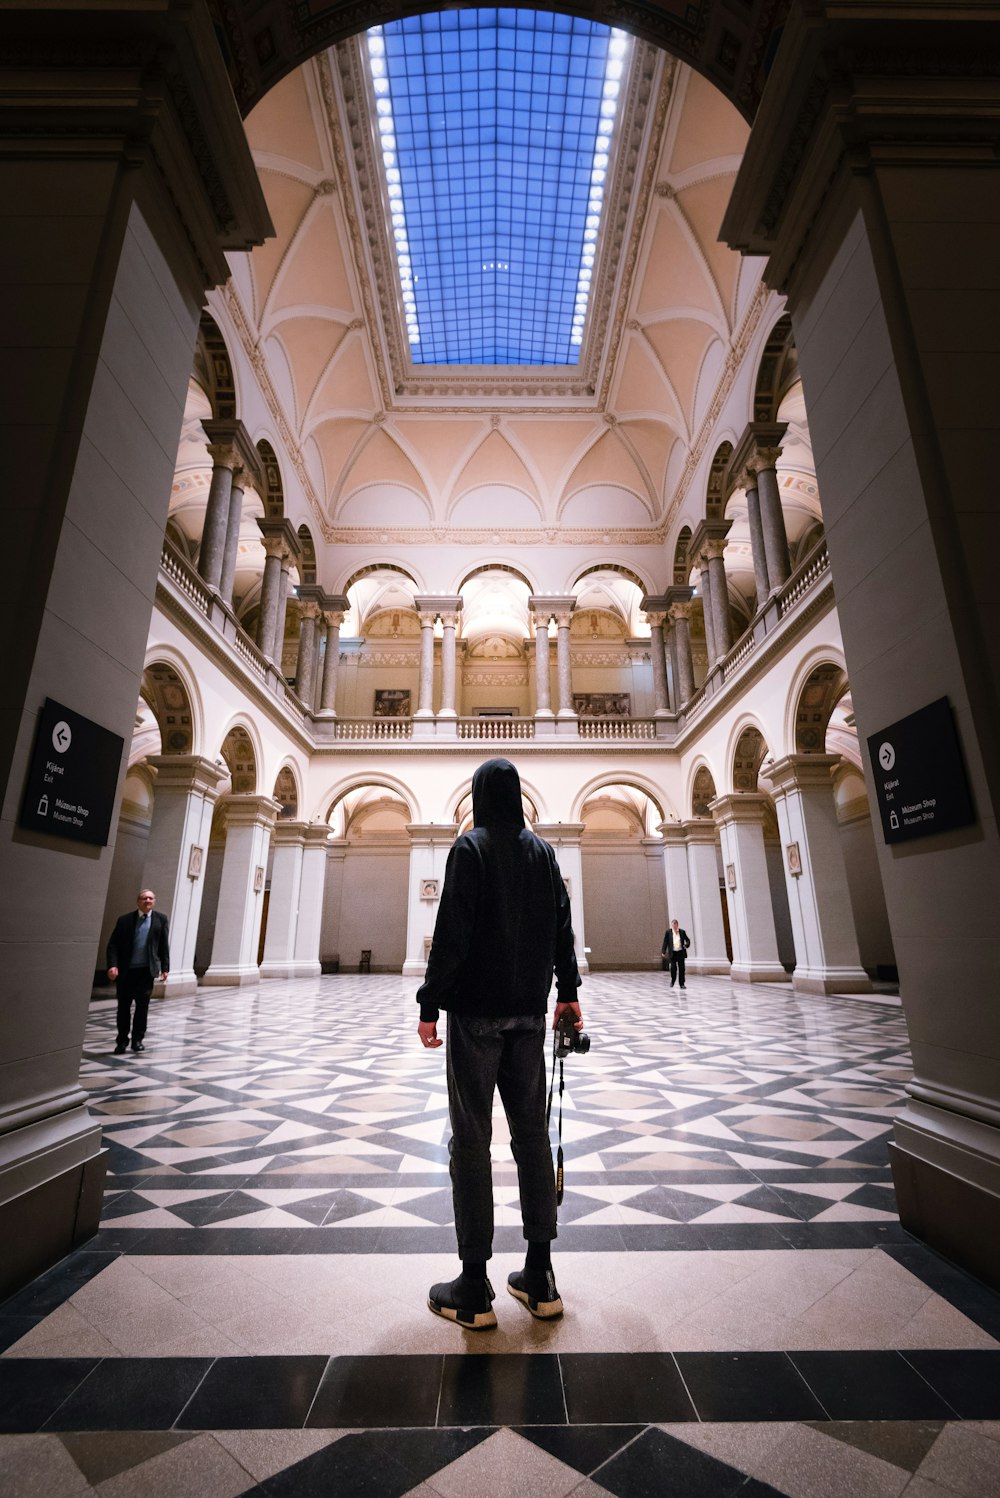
x=920, y=777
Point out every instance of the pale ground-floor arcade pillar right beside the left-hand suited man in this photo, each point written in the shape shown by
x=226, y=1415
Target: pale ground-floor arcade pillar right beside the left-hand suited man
x=186, y=790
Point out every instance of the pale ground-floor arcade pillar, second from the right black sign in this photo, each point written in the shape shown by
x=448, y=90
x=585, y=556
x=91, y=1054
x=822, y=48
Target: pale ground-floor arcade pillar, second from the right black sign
x=755, y=946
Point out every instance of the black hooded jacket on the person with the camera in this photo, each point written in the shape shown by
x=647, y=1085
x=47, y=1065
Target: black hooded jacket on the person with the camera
x=504, y=925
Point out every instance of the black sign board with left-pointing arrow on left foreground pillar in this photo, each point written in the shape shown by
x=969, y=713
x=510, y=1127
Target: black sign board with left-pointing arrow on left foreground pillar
x=73, y=778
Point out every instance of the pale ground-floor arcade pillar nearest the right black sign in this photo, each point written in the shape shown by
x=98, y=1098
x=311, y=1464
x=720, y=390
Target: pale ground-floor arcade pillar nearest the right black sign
x=827, y=958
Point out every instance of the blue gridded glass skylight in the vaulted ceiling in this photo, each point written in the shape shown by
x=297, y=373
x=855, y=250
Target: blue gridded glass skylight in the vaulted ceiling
x=496, y=136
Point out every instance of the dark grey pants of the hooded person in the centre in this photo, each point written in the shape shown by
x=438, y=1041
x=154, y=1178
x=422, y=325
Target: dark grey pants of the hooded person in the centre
x=483, y=1055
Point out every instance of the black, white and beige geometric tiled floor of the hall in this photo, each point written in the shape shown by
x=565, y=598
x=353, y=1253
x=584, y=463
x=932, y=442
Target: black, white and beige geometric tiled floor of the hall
x=745, y=1313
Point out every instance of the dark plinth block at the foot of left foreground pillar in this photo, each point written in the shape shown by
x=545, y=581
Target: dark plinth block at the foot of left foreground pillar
x=49, y=1222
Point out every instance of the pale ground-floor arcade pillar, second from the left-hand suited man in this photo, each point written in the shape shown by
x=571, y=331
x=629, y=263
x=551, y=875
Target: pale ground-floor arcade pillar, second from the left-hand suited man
x=249, y=825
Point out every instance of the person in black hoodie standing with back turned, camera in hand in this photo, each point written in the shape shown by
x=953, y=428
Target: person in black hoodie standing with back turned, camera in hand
x=504, y=927
